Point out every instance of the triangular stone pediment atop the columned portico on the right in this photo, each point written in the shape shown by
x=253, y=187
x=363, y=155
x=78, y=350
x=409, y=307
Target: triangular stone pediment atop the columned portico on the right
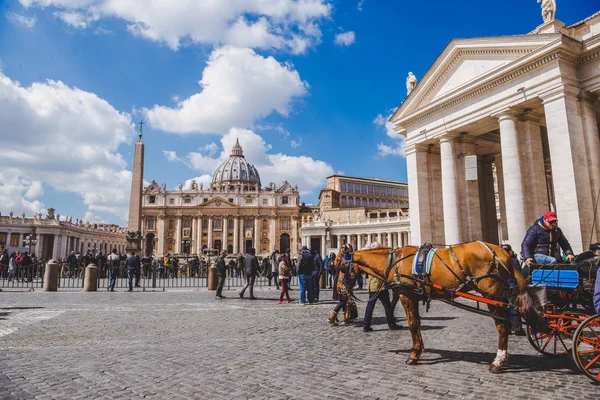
x=466, y=62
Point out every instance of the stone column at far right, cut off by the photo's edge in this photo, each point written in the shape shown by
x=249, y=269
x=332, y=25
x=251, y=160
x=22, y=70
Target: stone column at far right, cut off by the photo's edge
x=588, y=105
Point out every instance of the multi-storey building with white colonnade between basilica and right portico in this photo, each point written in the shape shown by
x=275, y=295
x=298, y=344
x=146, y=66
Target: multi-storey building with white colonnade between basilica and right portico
x=357, y=211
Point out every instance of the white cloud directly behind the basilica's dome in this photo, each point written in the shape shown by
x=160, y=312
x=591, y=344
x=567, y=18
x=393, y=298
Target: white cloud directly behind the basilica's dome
x=309, y=174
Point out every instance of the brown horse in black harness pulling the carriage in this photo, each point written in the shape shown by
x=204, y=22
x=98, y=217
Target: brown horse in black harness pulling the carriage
x=475, y=266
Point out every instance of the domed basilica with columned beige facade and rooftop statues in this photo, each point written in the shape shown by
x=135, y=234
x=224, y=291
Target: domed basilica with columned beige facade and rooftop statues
x=235, y=213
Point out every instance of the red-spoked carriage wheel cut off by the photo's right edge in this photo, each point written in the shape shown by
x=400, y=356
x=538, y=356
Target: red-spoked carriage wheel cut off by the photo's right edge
x=586, y=349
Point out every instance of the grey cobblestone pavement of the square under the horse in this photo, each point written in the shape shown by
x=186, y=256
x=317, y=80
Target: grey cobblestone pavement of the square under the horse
x=186, y=344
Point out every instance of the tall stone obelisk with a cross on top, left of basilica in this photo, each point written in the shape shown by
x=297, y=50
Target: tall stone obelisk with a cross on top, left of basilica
x=134, y=224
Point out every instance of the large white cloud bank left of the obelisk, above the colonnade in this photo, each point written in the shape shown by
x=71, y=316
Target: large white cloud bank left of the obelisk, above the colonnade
x=66, y=138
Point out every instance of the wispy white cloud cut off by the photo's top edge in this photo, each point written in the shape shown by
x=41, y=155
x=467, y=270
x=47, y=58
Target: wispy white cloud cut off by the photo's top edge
x=278, y=24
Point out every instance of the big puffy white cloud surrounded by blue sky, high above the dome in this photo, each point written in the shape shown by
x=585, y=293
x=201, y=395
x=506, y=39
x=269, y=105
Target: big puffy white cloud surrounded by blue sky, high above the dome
x=238, y=87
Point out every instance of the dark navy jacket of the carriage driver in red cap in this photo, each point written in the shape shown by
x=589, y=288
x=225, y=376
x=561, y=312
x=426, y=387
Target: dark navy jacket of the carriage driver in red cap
x=540, y=240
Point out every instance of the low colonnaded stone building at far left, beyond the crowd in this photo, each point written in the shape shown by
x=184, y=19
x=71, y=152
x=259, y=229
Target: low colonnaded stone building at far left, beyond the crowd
x=56, y=238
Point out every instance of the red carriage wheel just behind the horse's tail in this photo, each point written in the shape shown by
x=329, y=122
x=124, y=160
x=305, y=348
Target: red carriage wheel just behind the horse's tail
x=558, y=341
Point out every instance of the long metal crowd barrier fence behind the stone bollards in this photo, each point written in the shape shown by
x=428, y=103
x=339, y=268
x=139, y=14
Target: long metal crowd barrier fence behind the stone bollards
x=31, y=278
